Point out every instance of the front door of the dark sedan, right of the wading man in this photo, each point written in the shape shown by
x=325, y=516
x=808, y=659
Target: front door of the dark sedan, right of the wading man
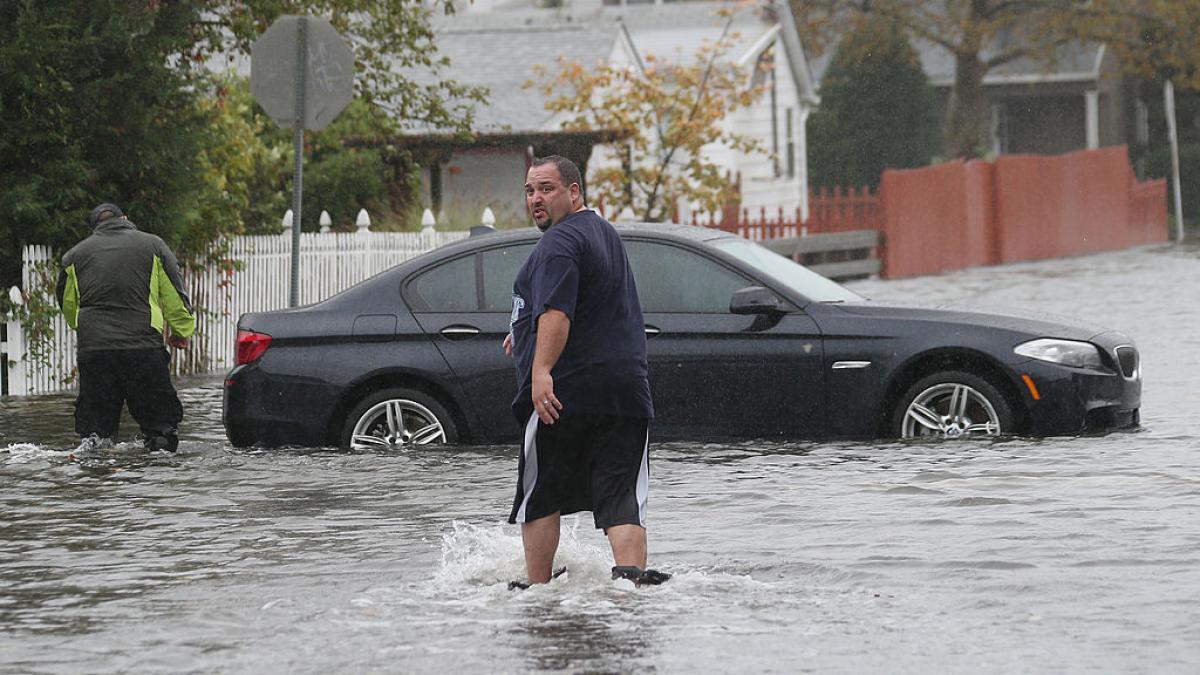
x=715, y=374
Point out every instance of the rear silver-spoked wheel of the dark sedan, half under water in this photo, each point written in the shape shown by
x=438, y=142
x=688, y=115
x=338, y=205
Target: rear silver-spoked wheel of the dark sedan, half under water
x=398, y=420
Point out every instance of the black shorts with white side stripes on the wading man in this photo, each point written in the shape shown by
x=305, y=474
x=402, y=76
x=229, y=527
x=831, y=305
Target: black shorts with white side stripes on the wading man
x=596, y=463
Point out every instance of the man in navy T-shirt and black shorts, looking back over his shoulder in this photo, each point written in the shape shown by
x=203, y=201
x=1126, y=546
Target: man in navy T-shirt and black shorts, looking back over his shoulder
x=583, y=395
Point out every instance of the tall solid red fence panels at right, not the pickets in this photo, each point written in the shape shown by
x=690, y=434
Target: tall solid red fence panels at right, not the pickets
x=1019, y=208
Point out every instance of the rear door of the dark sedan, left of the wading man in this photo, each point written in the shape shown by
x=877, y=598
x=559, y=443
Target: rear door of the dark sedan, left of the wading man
x=464, y=306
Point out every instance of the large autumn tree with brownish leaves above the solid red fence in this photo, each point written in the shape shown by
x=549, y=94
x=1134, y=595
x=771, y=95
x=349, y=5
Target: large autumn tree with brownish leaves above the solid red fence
x=986, y=34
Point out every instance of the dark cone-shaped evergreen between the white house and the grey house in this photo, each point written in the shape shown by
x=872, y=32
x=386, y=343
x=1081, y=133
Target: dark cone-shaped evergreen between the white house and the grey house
x=877, y=110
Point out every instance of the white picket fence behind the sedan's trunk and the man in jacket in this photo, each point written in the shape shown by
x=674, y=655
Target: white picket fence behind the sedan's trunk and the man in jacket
x=329, y=264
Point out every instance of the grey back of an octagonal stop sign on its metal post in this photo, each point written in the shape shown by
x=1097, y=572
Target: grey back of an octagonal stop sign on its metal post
x=302, y=73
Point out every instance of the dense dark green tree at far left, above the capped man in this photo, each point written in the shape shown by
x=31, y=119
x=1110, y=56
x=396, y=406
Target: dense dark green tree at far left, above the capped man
x=93, y=110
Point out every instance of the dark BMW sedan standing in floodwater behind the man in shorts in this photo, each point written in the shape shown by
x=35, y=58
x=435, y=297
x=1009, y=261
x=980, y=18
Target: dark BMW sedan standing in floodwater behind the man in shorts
x=742, y=343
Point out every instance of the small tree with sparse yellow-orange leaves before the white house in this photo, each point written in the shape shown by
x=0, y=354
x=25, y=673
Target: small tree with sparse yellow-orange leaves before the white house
x=667, y=115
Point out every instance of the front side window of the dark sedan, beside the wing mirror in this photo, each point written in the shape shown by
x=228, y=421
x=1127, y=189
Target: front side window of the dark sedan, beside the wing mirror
x=671, y=279
